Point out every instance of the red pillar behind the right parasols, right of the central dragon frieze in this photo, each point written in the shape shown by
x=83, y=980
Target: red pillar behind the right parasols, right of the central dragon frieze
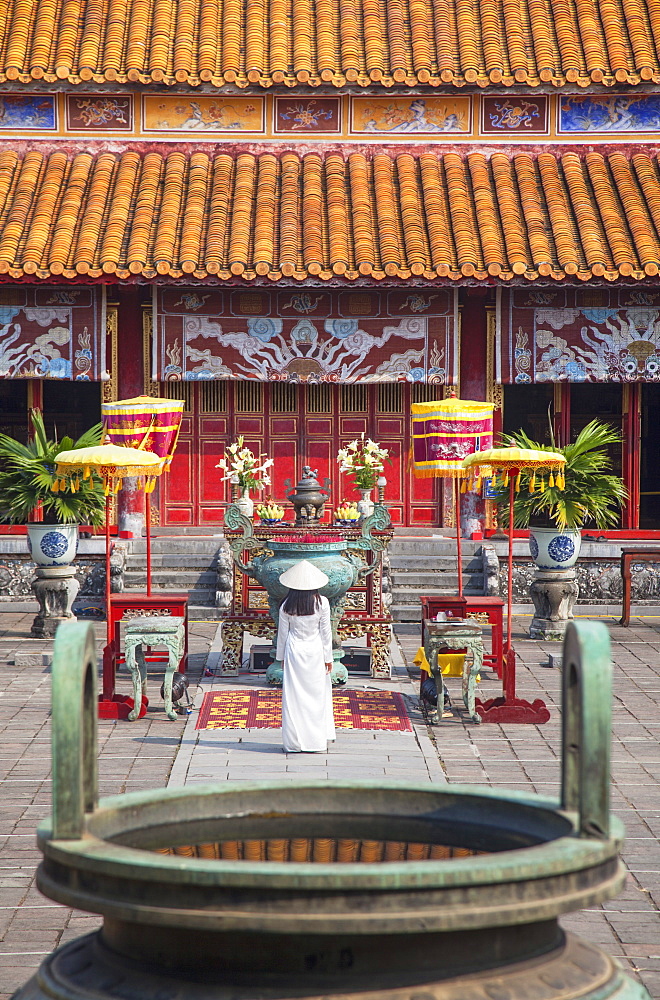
x=474, y=383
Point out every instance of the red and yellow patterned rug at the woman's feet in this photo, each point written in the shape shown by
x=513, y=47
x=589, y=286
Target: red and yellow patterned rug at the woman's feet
x=262, y=709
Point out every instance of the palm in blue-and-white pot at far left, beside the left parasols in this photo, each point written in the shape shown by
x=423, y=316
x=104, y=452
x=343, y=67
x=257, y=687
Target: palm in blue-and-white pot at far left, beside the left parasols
x=27, y=478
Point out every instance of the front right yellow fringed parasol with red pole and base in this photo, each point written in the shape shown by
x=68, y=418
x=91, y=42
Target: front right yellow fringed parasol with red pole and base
x=508, y=464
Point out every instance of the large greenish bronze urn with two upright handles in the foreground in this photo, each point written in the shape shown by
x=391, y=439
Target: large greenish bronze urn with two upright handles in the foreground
x=261, y=890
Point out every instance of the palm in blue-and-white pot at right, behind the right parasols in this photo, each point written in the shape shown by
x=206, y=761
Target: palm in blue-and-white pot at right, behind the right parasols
x=592, y=494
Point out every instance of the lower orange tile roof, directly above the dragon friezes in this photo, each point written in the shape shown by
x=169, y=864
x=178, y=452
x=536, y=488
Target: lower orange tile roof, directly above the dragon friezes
x=430, y=215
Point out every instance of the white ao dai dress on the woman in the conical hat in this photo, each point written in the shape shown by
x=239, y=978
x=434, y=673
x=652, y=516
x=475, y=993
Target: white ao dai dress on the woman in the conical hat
x=304, y=645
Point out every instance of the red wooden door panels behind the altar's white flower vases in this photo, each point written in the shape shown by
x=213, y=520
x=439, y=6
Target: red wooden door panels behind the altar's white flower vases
x=296, y=425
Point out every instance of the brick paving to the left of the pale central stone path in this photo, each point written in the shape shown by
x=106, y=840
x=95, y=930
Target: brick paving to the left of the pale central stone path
x=132, y=756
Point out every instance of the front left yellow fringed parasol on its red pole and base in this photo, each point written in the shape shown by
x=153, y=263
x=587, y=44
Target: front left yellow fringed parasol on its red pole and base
x=113, y=464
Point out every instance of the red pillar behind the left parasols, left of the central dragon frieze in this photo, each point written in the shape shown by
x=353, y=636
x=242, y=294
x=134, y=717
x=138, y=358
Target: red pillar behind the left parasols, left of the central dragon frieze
x=130, y=382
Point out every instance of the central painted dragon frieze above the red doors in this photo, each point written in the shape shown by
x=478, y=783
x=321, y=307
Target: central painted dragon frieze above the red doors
x=305, y=336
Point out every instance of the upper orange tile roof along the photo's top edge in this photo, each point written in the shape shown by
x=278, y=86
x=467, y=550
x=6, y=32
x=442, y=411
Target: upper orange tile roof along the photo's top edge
x=292, y=42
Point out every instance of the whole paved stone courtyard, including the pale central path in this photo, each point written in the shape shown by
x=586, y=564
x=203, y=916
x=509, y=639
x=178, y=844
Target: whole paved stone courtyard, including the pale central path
x=154, y=752
